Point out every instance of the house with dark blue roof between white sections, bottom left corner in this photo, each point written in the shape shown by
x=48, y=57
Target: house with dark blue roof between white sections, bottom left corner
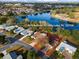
x=12, y=55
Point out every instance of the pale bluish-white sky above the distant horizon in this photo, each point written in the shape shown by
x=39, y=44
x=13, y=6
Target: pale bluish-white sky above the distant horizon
x=42, y=1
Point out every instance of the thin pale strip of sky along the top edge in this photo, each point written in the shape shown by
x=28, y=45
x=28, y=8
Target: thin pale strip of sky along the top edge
x=40, y=0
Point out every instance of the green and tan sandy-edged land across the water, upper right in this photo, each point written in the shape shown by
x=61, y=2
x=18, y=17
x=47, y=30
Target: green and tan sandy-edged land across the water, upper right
x=71, y=14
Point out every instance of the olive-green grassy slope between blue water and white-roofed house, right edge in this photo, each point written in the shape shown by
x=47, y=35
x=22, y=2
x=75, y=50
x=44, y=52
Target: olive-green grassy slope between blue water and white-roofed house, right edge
x=72, y=36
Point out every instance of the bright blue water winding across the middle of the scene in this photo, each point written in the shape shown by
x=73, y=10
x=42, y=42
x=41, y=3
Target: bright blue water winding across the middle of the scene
x=53, y=21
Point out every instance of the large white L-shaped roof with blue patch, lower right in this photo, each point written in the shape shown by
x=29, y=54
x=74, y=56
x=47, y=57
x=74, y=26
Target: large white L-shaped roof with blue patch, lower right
x=65, y=46
